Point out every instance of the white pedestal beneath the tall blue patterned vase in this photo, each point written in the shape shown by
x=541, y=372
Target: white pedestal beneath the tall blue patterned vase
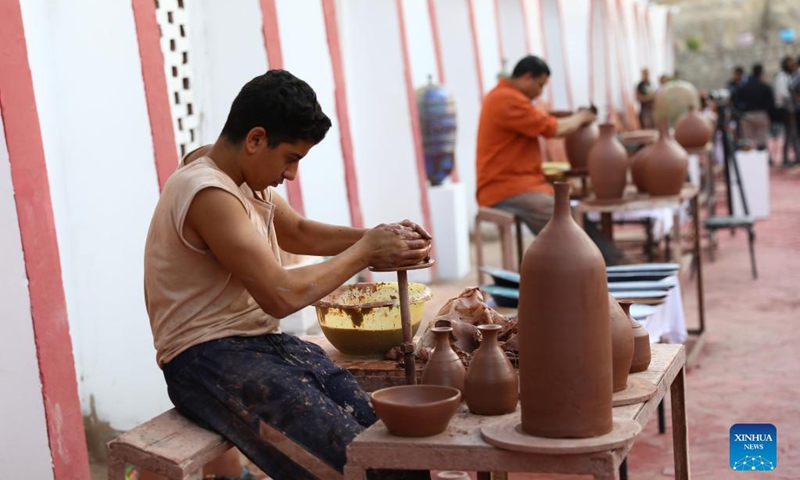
x=450, y=222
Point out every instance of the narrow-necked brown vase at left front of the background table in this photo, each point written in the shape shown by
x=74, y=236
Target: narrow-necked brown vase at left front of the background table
x=608, y=164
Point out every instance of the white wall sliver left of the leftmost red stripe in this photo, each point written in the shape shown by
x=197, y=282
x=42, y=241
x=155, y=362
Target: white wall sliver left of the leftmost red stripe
x=24, y=448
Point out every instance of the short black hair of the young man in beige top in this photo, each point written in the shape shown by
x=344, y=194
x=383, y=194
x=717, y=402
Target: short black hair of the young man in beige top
x=285, y=106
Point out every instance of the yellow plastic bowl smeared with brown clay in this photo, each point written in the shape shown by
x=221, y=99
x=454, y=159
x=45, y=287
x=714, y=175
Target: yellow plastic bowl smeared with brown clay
x=363, y=319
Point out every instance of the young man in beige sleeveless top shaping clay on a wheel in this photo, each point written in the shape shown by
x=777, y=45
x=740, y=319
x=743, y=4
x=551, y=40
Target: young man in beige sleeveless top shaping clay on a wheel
x=216, y=291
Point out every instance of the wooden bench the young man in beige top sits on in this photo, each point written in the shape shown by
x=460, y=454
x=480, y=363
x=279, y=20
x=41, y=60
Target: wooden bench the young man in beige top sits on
x=170, y=445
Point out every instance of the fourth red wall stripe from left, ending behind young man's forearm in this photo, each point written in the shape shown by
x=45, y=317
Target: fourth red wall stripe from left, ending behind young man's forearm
x=332, y=30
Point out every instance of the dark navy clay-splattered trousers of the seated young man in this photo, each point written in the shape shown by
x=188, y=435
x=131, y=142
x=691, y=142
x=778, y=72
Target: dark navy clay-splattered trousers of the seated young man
x=235, y=385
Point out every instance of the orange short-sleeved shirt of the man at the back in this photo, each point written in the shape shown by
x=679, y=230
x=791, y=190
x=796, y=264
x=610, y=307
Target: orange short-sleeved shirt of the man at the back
x=508, y=159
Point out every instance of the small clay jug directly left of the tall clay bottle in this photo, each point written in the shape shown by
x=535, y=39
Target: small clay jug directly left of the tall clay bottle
x=492, y=385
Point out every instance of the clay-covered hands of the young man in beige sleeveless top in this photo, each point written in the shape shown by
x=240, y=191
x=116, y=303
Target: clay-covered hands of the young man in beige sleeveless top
x=397, y=244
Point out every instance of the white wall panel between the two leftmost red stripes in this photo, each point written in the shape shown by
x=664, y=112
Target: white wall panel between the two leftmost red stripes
x=88, y=81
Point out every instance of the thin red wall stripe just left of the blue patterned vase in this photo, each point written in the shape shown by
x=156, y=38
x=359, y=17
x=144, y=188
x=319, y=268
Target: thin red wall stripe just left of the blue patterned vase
x=422, y=178
